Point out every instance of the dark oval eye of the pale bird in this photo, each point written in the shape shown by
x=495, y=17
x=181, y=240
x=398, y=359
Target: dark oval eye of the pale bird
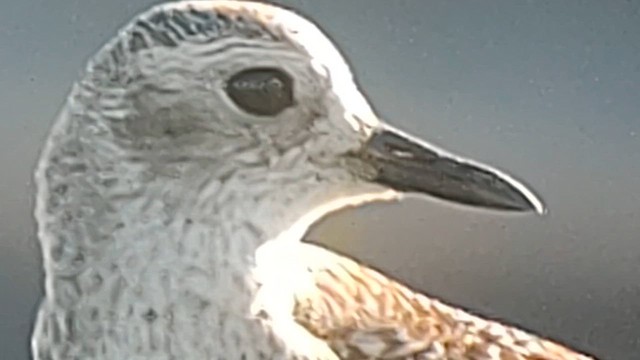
x=261, y=91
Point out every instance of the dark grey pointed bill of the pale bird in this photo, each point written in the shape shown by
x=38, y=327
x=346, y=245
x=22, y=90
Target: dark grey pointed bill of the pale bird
x=405, y=164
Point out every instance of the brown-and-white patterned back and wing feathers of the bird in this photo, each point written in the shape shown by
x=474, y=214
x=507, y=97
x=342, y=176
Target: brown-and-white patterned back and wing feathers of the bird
x=363, y=314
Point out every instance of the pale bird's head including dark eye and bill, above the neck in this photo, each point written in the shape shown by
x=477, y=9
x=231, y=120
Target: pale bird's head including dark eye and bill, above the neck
x=202, y=89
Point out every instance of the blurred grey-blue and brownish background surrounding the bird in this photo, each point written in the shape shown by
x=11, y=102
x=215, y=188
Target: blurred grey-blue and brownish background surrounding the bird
x=549, y=90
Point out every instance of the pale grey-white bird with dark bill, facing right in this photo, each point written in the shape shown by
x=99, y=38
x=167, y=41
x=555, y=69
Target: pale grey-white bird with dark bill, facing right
x=182, y=173
